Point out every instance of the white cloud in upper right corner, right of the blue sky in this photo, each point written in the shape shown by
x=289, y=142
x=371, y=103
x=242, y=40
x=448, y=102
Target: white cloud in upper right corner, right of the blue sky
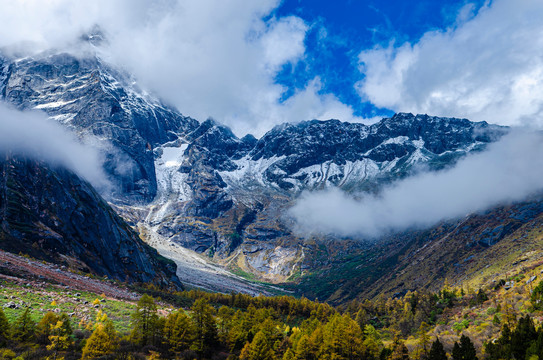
x=488, y=67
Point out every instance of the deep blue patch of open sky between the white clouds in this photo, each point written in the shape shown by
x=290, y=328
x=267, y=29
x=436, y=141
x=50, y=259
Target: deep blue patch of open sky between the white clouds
x=339, y=30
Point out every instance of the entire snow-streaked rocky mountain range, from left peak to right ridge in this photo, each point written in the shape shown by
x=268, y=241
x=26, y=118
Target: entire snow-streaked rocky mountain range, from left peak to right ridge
x=199, y=186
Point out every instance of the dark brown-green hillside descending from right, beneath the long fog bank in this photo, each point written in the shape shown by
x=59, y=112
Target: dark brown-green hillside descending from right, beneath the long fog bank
x=475, y=250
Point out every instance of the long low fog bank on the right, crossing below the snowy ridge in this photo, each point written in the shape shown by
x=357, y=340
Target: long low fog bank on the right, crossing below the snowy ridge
x=509, y=170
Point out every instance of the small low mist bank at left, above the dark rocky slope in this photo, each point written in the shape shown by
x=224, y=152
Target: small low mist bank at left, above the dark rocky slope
x=33, y=135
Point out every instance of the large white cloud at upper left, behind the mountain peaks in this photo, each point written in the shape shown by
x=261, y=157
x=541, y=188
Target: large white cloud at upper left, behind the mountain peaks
x=210, y=58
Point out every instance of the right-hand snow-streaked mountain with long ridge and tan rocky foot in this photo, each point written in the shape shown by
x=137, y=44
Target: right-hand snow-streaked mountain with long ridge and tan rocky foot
x=238, y=189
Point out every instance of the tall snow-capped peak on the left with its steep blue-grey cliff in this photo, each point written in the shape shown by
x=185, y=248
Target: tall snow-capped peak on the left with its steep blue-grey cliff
x=103, y=106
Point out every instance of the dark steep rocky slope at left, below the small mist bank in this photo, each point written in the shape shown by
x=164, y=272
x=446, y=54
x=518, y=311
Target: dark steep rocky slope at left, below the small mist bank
x=53, y=215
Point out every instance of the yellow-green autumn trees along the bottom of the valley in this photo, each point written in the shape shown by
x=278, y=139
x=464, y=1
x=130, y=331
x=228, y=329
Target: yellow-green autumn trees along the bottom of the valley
x=236, y=326
